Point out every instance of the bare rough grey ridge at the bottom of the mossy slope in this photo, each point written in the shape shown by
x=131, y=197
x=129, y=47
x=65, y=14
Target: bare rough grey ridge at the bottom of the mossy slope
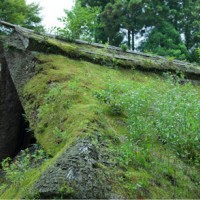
x=79, y=173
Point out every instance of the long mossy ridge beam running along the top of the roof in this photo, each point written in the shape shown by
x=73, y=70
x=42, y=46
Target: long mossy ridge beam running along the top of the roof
x=105, y=56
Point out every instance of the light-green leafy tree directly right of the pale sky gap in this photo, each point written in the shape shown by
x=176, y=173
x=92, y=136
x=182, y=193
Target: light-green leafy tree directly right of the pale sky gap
x=80, y=23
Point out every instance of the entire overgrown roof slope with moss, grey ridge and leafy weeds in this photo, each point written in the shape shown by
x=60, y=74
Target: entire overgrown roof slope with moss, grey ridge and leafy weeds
x=103, y=131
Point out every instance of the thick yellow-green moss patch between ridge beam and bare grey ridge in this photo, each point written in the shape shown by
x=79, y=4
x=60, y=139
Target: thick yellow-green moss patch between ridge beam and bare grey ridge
x=62, y=90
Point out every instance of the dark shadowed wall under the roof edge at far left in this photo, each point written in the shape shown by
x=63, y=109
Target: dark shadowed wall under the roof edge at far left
x=12, y=125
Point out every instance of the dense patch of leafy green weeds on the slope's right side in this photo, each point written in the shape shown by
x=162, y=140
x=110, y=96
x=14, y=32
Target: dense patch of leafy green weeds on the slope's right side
x=171, y=116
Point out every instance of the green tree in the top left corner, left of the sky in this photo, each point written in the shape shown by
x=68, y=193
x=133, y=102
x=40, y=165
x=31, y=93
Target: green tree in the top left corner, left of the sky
x=18, y=12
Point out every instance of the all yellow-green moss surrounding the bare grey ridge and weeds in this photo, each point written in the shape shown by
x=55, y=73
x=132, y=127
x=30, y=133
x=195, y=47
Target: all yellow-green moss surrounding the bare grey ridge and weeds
x=61, y=106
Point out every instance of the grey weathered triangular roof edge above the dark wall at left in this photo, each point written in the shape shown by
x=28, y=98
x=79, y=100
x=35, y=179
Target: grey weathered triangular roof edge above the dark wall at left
x=21, y=62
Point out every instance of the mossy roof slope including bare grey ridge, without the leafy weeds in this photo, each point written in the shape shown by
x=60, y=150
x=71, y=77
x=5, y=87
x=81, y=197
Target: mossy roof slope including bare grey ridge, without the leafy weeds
x=85, y=138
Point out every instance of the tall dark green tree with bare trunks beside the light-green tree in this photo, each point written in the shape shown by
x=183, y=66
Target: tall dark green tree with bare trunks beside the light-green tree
x=123, y=14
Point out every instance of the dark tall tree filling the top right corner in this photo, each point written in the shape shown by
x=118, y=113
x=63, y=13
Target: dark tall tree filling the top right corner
x=184, y=15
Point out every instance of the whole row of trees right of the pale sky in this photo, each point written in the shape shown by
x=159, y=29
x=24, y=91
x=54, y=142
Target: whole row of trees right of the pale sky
x=170, y=28
